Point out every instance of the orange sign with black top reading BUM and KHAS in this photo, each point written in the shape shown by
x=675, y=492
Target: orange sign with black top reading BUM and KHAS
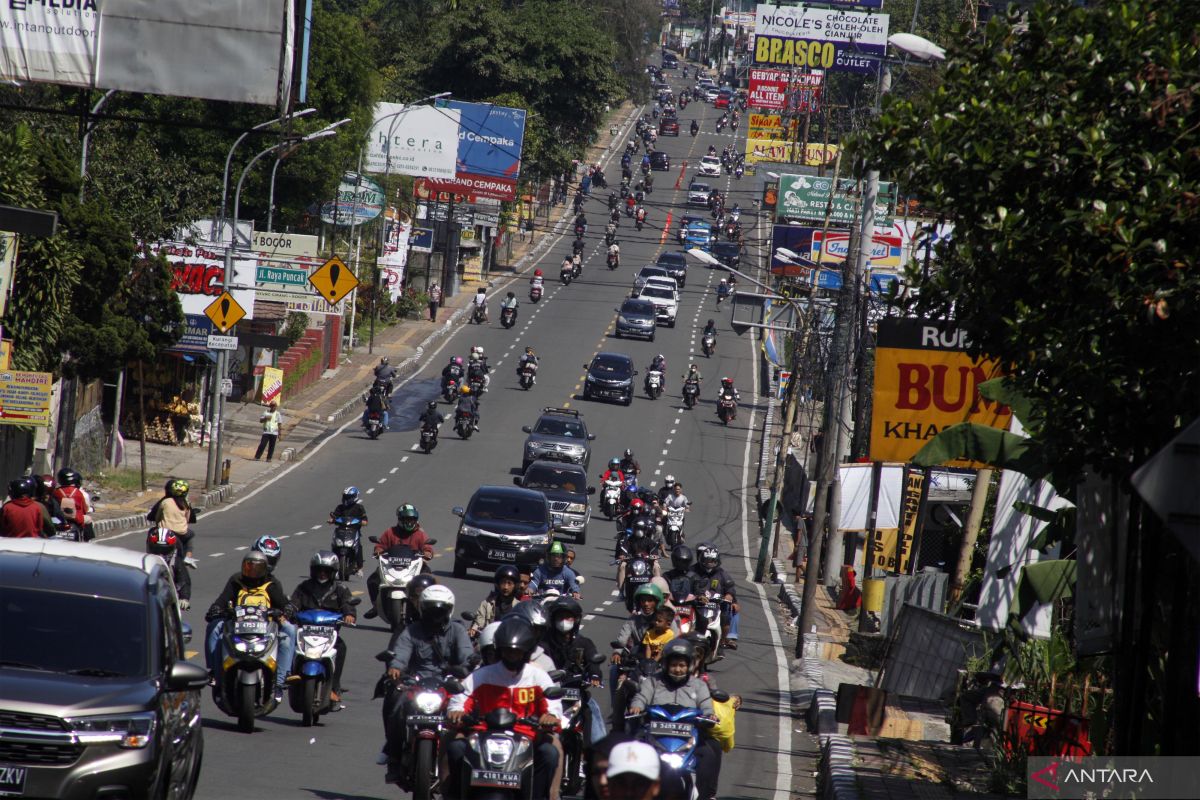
x=926, y=382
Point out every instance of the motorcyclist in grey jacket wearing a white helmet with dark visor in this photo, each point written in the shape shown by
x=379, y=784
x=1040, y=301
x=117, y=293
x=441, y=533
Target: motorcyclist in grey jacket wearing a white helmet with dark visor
x=429, y=648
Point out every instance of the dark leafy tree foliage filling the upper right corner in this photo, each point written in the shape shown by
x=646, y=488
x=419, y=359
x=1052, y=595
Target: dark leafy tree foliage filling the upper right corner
x=1065, y=153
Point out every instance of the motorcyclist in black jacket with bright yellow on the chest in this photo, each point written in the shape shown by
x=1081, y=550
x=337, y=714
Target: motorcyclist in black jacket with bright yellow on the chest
x=254, y=586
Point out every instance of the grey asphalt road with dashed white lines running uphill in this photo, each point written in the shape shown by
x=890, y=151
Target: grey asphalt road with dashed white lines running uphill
x=716, y=464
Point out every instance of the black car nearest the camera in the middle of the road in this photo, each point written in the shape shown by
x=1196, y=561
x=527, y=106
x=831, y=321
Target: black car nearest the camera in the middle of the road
x=502, y=525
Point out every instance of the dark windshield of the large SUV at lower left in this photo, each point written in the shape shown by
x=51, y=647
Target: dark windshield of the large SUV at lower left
x=73, y=634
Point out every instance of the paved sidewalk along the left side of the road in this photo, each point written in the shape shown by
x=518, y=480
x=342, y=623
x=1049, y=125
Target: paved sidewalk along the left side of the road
x=314, y=413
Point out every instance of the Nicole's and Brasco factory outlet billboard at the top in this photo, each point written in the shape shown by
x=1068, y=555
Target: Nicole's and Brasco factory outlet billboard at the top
x=819, y=39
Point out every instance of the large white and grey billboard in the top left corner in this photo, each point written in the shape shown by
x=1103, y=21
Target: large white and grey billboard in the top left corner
x=213, y=50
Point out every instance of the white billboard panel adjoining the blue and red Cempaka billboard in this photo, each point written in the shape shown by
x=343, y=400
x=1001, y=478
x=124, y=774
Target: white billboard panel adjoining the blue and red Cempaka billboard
x=418, y=141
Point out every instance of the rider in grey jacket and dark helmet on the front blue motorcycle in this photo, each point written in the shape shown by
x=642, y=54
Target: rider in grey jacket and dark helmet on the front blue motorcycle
x=675, y=685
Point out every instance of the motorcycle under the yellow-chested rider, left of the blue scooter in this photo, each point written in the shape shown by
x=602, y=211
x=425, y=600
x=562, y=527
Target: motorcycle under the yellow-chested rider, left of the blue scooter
x=245, y=687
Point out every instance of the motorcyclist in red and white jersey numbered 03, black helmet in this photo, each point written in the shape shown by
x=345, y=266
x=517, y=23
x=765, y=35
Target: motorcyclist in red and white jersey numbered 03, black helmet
x=514, y=684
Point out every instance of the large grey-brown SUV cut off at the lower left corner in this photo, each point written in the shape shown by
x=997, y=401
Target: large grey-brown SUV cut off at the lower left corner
x=97, y=696
